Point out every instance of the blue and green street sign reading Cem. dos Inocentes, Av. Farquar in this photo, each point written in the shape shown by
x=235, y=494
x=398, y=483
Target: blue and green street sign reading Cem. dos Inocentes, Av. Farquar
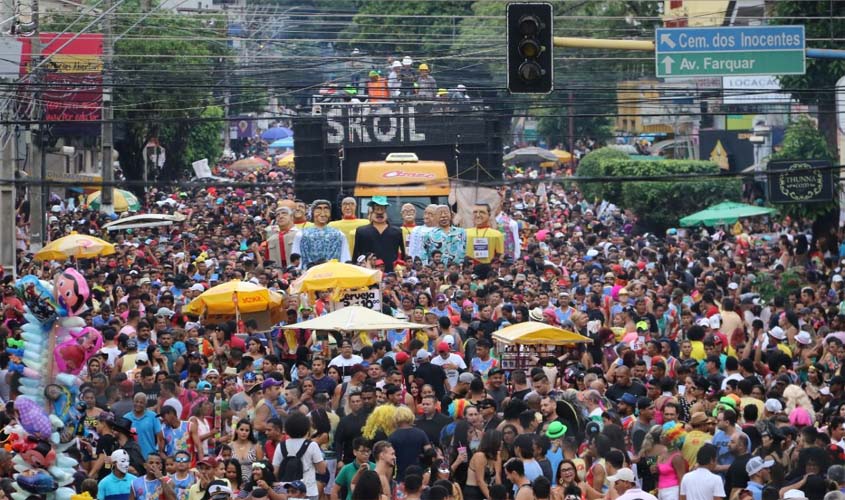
x=730, y=51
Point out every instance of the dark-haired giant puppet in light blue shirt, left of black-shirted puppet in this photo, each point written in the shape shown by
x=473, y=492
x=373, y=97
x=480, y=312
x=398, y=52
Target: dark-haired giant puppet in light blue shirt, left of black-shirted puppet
x=320, y=243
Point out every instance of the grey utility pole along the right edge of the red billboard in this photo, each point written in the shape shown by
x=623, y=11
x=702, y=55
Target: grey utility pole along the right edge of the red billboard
x=106, y=146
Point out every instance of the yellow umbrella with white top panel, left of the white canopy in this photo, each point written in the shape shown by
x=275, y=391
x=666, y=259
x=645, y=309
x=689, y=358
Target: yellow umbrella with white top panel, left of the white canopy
x=220, y=300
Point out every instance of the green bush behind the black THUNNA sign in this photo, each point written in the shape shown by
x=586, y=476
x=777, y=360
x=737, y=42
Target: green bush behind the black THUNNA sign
x=803, y=141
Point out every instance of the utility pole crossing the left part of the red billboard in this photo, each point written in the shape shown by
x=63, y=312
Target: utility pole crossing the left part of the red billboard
x=37, y=191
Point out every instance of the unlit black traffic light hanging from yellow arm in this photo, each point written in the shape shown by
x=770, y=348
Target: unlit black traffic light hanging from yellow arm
x=530, y=44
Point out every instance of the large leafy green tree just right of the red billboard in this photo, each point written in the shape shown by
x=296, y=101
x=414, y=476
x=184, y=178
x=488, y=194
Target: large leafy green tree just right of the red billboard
x=172, y=95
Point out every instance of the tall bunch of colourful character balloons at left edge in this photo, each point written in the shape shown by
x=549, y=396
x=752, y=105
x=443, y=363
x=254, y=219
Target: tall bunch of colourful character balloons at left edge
x=55, y=346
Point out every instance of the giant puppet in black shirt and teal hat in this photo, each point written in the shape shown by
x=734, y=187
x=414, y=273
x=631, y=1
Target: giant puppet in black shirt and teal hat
x=379, y=237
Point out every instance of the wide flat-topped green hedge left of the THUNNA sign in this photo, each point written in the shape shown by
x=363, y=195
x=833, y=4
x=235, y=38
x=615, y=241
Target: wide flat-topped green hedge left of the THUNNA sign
x=659, y=205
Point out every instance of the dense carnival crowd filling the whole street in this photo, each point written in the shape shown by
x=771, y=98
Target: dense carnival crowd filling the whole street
x=714, y=367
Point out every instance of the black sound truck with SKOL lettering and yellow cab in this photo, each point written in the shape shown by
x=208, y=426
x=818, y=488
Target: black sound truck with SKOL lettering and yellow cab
x=411, y=151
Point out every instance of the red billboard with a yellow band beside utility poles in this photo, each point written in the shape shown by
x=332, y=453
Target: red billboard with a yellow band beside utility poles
x=72, y=75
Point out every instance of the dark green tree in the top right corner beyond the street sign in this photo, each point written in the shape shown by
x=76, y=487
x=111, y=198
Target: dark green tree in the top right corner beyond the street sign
x=824, y=24
